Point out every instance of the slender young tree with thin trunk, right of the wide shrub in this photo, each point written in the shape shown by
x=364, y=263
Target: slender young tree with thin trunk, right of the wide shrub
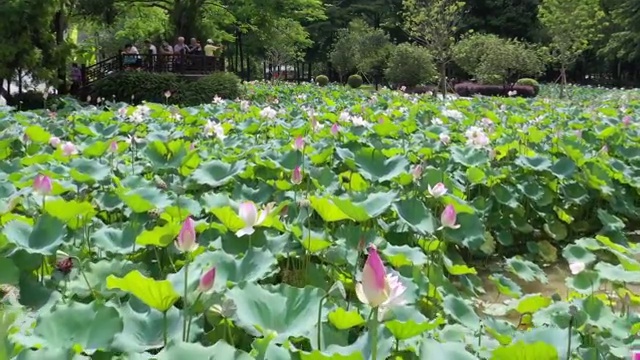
x=572, y=25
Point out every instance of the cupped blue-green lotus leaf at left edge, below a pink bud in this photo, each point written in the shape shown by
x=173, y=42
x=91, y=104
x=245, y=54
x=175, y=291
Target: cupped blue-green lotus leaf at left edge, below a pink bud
x=43, y=238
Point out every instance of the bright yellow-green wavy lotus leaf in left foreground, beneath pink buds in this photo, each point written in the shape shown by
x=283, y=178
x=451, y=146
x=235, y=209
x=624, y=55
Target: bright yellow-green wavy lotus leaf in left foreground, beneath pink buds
x=158, y=294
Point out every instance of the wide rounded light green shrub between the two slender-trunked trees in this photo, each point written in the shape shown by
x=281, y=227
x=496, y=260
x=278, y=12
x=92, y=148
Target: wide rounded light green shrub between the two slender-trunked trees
x=493, y=60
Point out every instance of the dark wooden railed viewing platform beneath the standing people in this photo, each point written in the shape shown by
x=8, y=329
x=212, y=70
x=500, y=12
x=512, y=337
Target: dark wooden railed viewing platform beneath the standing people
x=188, y=65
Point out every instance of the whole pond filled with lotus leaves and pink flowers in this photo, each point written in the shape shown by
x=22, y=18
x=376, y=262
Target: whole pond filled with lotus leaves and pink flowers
x=322, y=223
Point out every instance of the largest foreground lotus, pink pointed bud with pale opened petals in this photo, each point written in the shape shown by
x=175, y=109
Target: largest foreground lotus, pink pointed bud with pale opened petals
x=377, y=288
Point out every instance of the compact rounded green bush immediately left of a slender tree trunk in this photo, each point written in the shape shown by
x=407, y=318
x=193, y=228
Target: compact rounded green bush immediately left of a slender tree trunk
x=410, y=65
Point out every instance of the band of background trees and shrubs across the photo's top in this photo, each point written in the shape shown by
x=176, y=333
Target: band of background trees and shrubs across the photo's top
x=590, y=41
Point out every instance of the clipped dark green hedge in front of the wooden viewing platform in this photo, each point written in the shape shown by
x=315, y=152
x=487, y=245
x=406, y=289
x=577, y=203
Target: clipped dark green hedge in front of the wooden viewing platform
x=136, y=86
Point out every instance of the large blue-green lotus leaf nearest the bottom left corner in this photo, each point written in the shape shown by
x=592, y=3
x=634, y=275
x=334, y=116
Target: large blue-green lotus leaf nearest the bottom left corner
x=90, y=326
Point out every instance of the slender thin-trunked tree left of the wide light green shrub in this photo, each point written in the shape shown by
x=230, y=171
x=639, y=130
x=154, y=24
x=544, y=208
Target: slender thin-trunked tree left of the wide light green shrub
x=434, y=24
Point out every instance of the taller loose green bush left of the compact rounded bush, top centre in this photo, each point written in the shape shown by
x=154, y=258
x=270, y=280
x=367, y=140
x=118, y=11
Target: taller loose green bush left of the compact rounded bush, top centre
x=361, y=48
